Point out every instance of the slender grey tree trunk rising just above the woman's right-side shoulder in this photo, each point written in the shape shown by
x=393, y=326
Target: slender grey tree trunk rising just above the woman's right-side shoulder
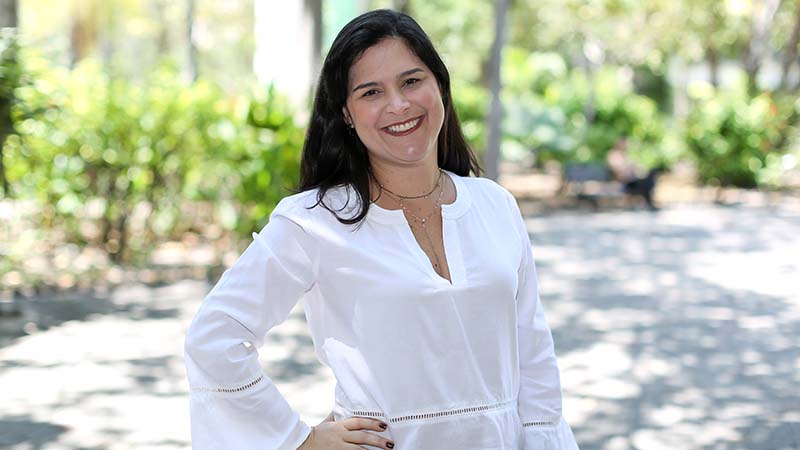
x=492, y=157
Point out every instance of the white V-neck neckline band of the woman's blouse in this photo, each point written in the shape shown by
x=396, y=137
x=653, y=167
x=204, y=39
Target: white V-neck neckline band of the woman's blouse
x=452, y=250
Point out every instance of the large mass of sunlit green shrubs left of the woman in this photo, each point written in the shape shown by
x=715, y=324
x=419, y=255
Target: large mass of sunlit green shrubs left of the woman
x=107, y=149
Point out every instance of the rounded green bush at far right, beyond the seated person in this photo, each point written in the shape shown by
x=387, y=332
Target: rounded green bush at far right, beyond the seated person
x=740, y=141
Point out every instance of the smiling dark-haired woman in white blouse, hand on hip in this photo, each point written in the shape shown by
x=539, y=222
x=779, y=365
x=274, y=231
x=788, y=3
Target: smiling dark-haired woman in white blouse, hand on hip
x=419, y=282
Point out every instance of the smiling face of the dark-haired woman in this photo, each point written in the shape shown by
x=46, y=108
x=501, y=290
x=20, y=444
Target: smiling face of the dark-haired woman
x=395, y=105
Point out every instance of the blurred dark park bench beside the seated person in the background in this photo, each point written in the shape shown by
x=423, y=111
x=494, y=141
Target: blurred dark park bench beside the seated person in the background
x=590, y=182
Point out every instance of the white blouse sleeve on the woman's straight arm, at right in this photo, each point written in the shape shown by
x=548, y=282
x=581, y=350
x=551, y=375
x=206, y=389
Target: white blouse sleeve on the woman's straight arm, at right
x=539, y=402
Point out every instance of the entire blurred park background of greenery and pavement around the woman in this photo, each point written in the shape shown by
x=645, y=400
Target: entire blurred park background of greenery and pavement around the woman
x=141, y=143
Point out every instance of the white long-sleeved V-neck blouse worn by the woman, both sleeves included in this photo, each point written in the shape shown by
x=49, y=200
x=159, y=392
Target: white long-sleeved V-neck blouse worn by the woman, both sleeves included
x=467, y=365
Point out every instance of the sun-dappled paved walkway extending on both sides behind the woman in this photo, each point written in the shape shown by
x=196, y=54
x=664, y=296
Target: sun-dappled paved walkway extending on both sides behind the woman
x=675, y=330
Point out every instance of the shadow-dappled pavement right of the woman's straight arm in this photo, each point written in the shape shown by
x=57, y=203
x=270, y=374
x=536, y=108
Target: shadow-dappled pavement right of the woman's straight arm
x=670, y=338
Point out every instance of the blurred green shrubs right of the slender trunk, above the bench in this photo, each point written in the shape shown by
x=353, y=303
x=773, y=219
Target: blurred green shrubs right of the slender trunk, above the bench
x=548, y=105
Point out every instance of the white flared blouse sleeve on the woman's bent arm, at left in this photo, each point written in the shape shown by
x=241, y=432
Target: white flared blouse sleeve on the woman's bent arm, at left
x=233, y=404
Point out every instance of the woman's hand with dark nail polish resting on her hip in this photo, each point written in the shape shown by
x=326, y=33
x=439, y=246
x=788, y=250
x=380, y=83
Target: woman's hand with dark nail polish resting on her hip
x=346, y=435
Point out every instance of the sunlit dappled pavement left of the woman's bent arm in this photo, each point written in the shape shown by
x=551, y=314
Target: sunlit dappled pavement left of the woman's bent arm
x=113, y=379
